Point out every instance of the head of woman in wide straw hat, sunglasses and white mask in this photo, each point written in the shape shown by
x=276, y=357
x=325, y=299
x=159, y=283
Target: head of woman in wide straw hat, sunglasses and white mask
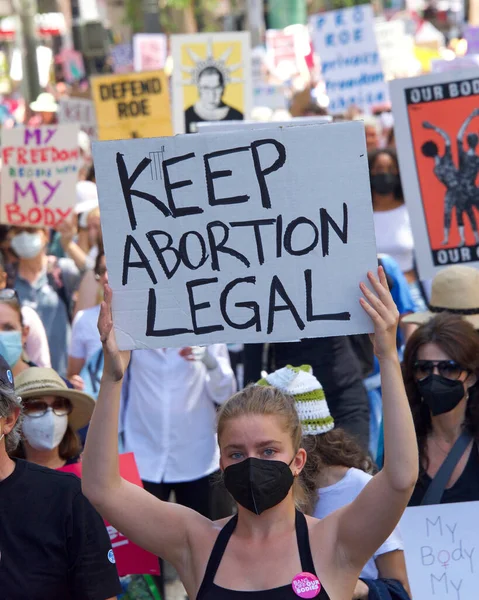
x=53, y=414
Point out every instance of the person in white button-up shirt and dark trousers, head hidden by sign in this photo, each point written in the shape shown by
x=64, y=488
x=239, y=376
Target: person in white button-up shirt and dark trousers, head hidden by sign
x=169, y=407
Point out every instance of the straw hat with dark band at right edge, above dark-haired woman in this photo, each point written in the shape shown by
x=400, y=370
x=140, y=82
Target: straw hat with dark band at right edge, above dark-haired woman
x=454, y=290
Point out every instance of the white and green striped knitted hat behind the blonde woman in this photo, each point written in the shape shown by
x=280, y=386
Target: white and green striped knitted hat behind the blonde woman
x=309, y=395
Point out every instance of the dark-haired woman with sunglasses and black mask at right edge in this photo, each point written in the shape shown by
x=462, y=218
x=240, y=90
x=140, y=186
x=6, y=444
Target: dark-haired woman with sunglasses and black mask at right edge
x=441, y=369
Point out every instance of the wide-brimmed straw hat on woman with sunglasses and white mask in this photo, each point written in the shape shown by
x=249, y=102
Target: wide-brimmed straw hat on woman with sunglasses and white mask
x=37, y=382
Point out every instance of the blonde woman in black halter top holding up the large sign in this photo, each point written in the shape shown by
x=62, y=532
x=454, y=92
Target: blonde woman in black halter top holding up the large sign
x=269, y=549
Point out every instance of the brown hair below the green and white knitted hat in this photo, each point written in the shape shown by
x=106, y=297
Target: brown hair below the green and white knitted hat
x=336, y=448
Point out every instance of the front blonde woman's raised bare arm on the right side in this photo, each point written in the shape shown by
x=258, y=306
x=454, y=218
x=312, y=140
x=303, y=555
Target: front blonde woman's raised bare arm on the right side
x=363, y=525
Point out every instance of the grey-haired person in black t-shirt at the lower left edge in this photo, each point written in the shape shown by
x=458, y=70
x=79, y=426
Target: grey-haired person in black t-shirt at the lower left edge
x=53, y=543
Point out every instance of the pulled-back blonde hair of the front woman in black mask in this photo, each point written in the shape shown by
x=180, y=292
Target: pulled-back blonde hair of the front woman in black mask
x=265, y=400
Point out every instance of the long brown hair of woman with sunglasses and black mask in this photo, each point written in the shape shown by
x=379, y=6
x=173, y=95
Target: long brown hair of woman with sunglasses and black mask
x=459, y=340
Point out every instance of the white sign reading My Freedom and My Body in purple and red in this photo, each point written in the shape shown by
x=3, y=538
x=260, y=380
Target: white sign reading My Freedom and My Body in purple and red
x=39, y=174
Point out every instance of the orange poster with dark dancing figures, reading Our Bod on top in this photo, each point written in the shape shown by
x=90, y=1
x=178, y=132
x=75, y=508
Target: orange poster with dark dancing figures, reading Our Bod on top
x=435, y=118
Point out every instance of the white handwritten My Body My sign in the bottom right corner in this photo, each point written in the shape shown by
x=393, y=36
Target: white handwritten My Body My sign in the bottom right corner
x=440, y=550
